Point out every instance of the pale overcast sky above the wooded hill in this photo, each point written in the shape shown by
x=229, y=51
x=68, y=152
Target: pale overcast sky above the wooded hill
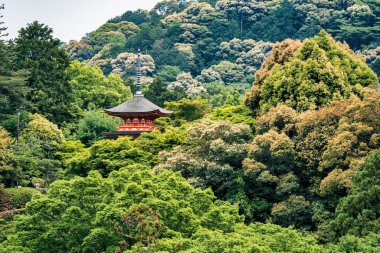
x=70, y=19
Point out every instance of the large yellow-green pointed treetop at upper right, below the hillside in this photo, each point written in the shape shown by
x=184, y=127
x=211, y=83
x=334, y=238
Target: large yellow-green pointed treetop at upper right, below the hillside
x=320, y=71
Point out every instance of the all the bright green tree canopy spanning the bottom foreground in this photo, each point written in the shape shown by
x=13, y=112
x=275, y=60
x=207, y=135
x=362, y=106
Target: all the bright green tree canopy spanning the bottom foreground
x=133, y=210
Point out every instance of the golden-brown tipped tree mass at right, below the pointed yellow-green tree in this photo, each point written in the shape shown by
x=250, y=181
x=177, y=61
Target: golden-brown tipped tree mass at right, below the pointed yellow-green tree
x=300, y=165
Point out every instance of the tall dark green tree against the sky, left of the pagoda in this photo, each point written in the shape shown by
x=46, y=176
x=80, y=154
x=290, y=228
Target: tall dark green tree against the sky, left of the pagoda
x=37, y=51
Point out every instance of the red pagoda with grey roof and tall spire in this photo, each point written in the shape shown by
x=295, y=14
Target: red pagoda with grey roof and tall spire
x=138, y=113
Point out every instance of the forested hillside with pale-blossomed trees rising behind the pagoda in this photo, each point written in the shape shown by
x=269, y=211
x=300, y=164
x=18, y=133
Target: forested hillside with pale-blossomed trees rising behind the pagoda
x=197, y=37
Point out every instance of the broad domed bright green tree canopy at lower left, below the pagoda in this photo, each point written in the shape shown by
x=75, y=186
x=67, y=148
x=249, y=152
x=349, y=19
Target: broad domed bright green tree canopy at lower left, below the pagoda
x=133, y=200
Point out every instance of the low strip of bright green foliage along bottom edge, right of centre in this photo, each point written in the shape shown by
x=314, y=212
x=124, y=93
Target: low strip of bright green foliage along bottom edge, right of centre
x=253, y=238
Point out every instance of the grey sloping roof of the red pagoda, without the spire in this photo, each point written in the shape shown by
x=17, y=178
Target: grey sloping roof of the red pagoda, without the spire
x=138, y=104
